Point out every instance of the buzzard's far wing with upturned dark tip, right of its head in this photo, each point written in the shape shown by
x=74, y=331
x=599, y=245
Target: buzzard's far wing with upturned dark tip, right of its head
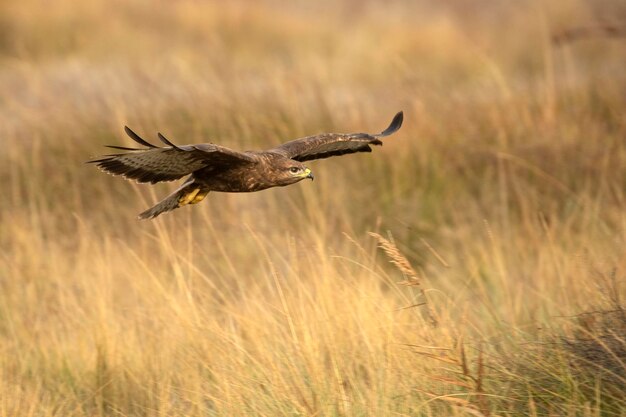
x=333, y=144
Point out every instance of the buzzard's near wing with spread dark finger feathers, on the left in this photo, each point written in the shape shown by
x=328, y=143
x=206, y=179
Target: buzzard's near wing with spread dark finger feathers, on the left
x=154, y=164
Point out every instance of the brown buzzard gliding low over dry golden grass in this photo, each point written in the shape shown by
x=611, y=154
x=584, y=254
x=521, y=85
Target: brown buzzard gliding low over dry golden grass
x=217, y=168
